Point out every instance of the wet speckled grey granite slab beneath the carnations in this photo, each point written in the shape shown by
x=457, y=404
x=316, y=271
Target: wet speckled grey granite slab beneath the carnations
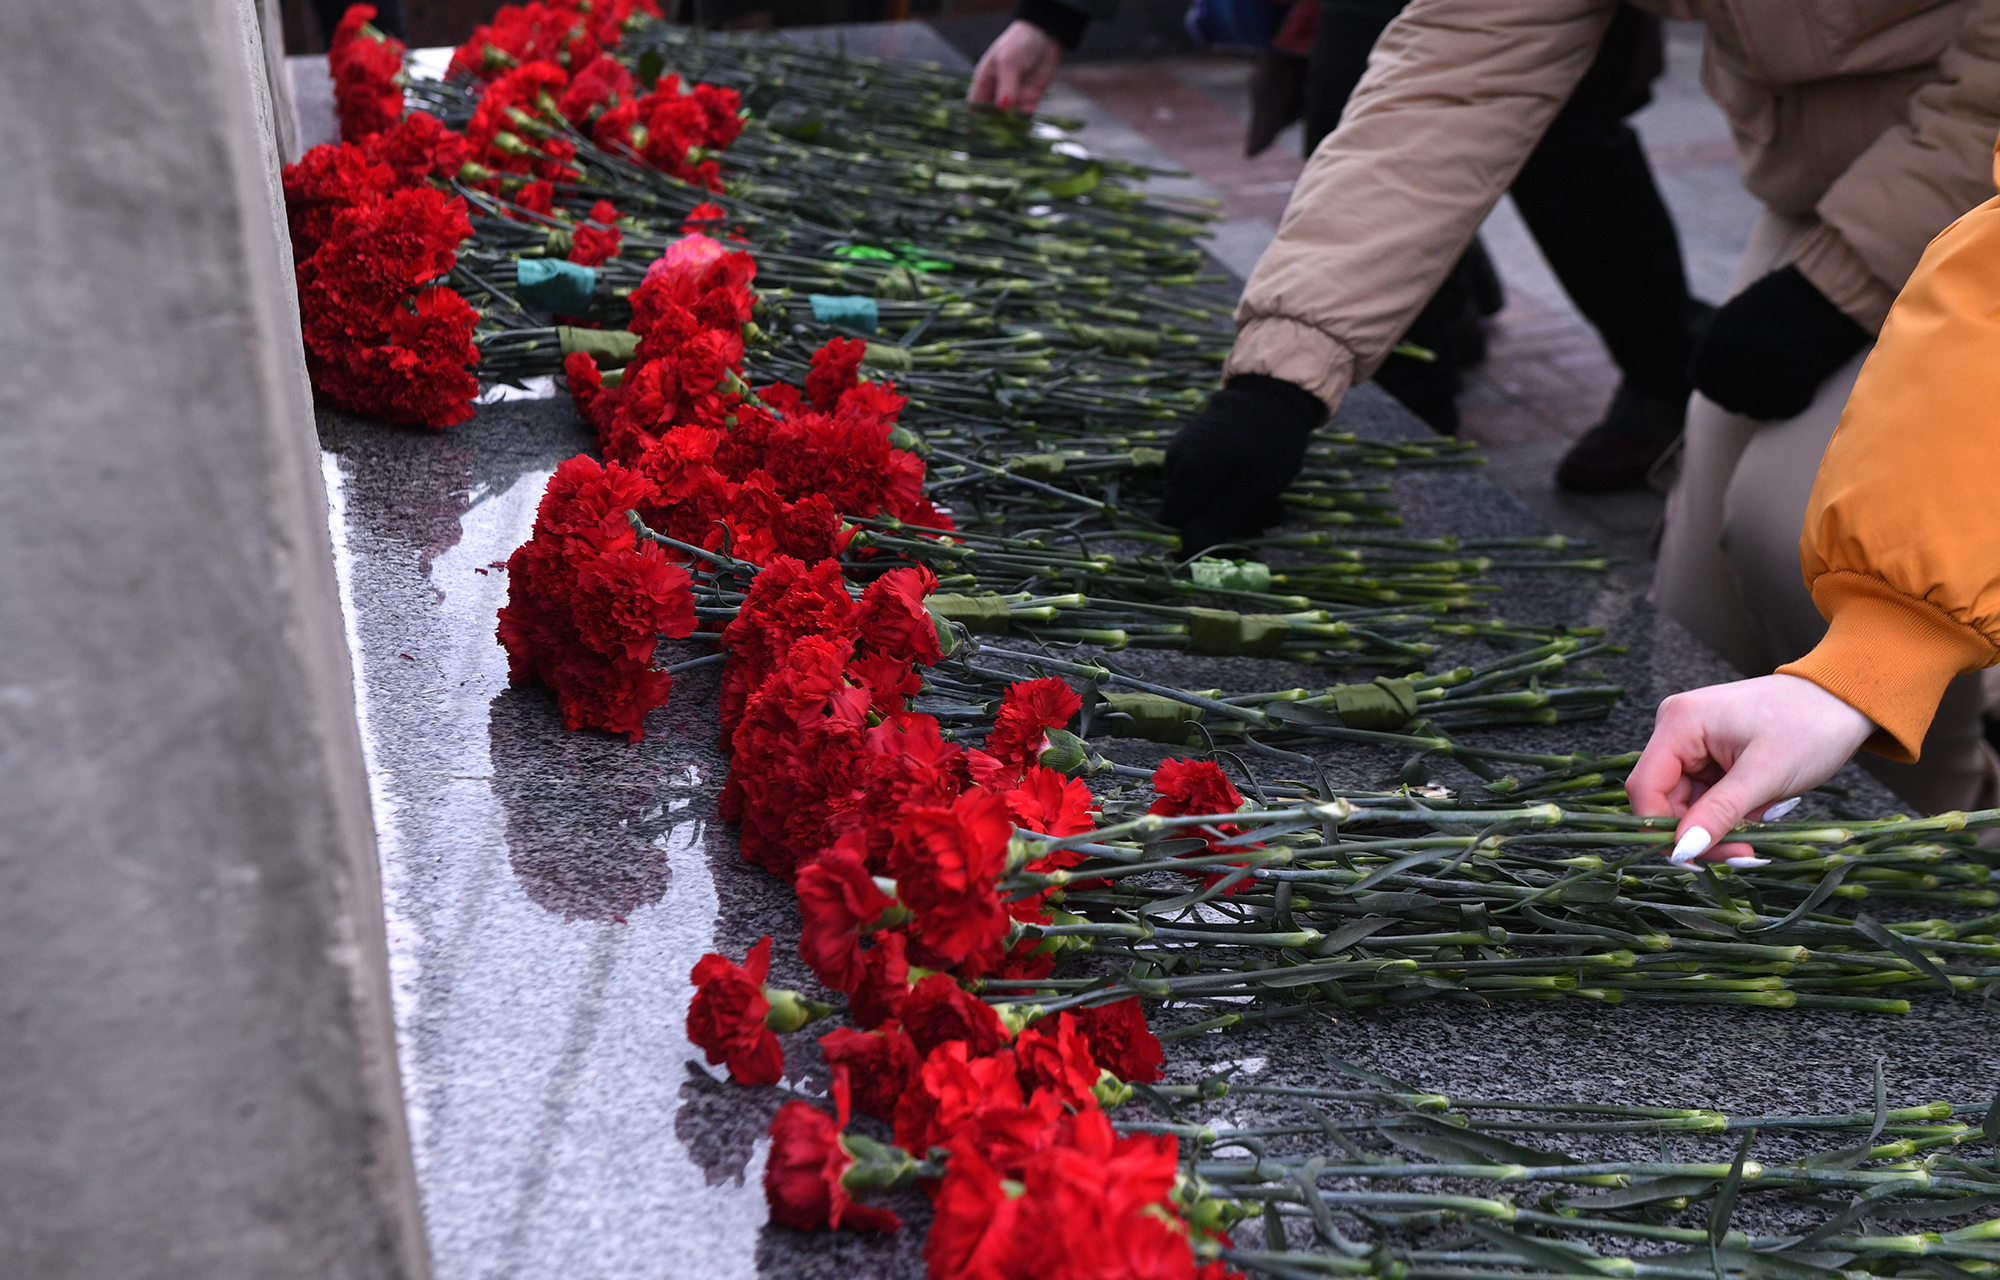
x=549, y=893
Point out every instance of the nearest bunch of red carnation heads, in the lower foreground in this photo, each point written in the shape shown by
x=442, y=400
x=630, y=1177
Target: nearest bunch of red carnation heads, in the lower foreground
x=905, y=905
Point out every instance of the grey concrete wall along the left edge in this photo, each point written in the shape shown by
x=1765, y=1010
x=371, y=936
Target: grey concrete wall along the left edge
x=197, y=1053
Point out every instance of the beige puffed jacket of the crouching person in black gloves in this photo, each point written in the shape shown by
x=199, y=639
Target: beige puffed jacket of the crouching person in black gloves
x=1873, y=117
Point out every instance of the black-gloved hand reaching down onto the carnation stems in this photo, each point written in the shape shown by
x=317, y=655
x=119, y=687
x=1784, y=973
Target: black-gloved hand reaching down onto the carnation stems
x=1231, y=461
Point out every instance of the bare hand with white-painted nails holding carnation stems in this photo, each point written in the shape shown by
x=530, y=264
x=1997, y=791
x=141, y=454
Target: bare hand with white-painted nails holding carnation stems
x=1741, y=751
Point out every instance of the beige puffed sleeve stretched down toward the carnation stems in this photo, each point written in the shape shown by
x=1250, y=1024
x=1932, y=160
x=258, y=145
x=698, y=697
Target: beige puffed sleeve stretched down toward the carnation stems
x=1455, y=99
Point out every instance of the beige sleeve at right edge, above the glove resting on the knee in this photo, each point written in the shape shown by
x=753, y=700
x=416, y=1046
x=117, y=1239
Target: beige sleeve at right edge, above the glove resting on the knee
x=1913, y=181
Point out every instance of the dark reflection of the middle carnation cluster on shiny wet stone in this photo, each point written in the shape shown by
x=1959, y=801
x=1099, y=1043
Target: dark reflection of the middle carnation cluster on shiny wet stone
x=587, y=815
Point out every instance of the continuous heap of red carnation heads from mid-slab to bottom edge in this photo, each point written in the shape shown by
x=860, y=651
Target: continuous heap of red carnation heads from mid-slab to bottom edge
x=895, y=839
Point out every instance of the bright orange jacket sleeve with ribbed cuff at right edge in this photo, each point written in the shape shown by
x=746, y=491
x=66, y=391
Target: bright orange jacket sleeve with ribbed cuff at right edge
x=1903, y=533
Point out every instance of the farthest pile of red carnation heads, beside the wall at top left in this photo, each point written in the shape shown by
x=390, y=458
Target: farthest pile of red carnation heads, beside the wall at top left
x=375, y=231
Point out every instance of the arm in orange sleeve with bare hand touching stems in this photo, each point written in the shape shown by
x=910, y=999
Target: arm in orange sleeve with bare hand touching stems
x=1901, y=549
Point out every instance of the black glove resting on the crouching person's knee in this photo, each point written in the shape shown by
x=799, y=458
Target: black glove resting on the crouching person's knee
x=1771, y=347
